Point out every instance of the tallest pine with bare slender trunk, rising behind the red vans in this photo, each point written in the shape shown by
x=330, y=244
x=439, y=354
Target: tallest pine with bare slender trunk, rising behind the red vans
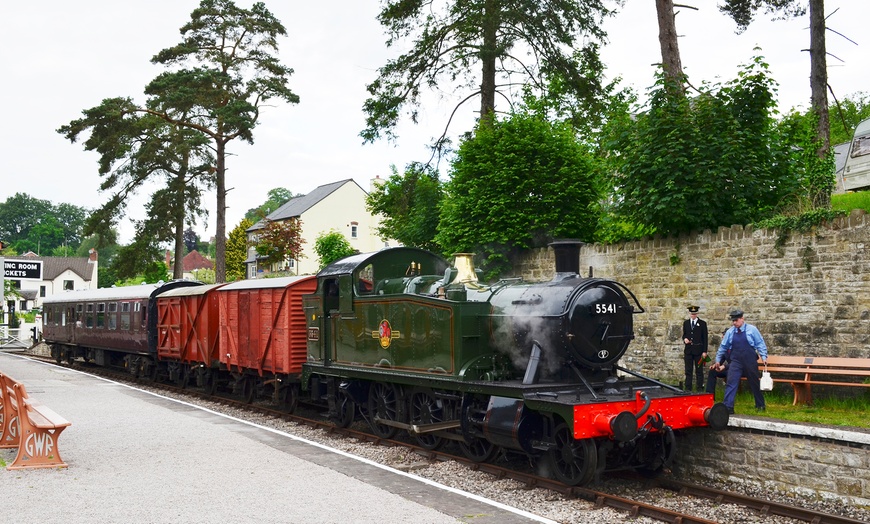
x=225, y=72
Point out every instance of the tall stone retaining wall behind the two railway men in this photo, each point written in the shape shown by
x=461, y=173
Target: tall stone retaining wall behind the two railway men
x=808, y=296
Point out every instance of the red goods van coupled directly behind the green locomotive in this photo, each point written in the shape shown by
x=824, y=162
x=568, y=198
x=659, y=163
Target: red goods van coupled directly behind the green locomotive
x=262, y=340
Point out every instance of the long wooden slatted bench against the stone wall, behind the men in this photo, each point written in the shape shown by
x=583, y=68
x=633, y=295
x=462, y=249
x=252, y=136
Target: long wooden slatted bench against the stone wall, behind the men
x=803, y=372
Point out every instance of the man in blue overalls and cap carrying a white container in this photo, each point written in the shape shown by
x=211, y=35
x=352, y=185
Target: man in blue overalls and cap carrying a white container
x=746, y=346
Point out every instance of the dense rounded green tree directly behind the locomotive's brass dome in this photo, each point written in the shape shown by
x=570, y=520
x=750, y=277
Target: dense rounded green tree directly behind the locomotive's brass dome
x=515, y=185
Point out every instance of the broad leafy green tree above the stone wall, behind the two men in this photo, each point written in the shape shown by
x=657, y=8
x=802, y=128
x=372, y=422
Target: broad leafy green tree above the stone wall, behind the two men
x=695, y=163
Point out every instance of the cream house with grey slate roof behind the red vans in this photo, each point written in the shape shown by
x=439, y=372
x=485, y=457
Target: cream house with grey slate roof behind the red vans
x=338, y=206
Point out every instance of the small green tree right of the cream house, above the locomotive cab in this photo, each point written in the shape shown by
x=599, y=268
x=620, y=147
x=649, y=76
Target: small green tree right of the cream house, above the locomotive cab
x=410, y=205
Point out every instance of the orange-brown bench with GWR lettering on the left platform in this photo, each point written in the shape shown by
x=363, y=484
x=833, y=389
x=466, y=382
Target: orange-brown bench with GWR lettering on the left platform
x=31, y=427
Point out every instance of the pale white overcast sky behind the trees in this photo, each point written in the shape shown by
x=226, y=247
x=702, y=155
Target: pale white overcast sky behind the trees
x=60, y=57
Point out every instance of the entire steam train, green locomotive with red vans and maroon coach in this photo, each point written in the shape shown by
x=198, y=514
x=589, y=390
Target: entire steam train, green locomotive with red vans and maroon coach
x=407, y=342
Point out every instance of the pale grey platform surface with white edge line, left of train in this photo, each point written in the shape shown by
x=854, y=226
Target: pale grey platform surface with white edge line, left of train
x=136, y=456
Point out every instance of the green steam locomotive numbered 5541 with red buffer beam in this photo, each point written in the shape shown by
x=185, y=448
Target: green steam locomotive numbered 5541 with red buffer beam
x=411, y=343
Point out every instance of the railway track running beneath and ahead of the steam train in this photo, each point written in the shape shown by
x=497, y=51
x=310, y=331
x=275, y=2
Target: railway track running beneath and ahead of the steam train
x=518, y=473
